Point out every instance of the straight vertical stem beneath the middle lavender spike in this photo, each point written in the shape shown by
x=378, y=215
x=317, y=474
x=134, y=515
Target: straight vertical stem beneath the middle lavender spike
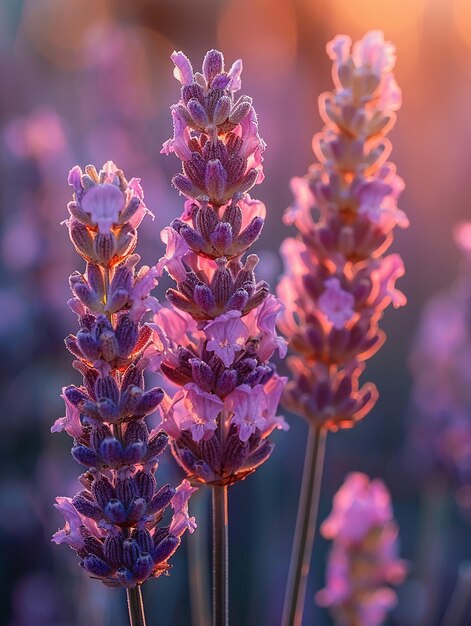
x=220, y=557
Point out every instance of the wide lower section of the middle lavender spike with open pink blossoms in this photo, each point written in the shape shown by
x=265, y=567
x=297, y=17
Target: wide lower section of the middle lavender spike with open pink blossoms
x=208, y=393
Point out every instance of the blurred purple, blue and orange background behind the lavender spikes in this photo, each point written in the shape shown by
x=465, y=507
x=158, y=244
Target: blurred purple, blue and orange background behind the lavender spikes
x=85, y=81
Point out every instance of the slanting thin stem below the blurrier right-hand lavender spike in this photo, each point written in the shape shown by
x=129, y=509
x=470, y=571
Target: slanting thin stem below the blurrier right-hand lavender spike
x=305, y=528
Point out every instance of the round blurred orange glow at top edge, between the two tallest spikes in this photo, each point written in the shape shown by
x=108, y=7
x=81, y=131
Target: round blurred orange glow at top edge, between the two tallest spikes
x=267, y=34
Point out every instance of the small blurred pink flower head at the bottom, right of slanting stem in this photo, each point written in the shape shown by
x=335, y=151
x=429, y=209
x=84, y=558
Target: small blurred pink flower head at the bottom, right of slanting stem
x=363, y=558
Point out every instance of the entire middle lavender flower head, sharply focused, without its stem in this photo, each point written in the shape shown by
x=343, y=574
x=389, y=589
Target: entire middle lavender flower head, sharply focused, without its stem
x=216, y=340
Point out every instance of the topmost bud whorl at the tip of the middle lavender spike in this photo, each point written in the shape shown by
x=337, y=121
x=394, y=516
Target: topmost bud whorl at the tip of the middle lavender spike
x=215, y=136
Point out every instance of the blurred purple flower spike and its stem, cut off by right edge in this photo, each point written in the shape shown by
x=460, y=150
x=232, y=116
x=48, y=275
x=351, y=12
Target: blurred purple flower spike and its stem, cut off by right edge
x=437, y=454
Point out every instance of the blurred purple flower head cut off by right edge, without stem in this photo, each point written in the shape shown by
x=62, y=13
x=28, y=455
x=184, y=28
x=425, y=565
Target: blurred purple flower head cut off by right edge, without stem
x=440, y=431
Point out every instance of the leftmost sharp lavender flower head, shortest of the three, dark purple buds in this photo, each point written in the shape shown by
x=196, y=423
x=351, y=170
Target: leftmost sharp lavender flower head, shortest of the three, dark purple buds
x=115, y=522
